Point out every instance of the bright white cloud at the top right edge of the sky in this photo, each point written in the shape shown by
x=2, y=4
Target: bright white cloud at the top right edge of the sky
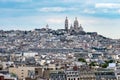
x=107, y=5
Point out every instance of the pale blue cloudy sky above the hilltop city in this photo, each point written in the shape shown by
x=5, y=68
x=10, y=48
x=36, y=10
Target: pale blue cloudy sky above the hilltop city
x=102, y=16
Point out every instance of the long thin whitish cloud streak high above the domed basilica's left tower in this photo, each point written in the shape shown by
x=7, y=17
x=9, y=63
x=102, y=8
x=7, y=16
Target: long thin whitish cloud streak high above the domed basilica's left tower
x=55, y=9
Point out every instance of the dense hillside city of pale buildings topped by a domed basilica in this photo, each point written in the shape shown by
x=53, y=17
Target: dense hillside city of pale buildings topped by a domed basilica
x=63, y=54
